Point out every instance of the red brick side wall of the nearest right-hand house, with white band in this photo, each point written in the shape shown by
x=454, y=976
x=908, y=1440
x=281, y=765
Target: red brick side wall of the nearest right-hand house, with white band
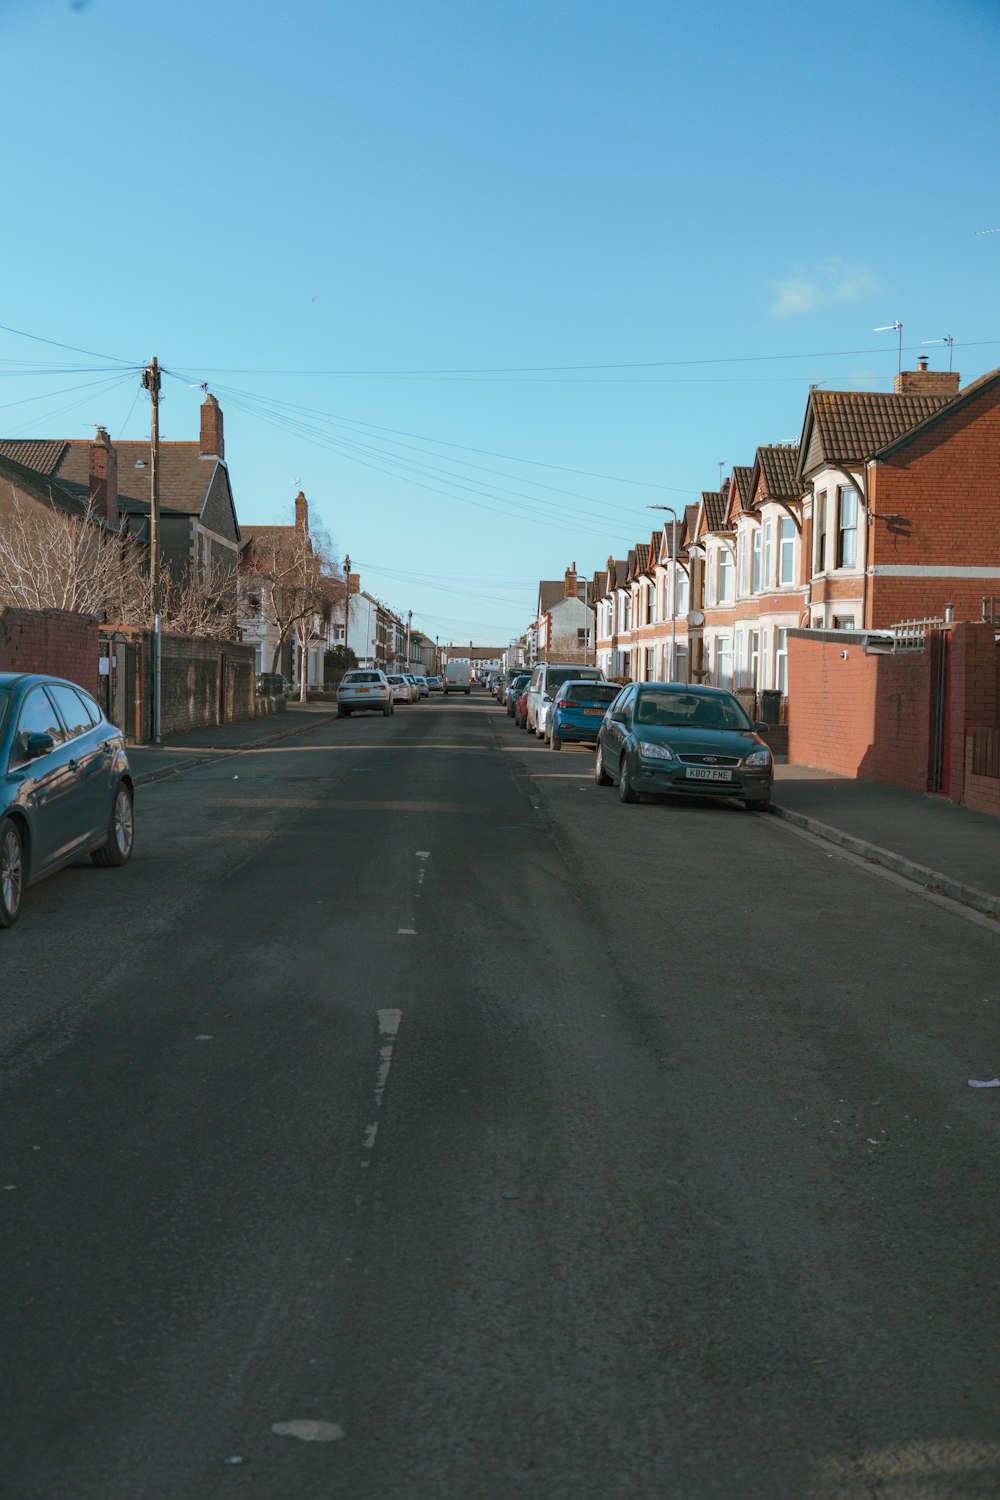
x=942, y=487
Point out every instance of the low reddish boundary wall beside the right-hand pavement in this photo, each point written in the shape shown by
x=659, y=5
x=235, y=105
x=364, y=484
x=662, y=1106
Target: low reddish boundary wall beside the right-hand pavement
x=872, y=716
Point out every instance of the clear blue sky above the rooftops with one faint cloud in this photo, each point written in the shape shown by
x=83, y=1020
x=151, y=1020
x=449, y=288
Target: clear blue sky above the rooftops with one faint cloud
x=488, y=280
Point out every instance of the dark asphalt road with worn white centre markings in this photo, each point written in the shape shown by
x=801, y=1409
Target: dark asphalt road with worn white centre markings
x=412, y=1121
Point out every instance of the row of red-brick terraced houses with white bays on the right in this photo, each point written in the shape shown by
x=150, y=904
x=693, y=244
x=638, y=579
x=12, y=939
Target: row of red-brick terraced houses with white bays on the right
x=884, y=512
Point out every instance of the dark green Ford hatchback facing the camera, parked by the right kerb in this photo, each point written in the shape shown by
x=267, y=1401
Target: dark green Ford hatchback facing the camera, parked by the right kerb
x=668, y=737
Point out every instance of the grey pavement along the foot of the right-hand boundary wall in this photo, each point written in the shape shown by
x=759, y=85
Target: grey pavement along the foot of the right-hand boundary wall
x=927, y=839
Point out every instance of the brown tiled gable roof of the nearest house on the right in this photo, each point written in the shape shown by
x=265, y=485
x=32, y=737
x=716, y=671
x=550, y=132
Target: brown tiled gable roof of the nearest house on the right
x=849, y=427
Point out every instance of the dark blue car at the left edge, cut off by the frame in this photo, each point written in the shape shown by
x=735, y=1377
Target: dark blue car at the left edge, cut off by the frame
x=65, y=785
